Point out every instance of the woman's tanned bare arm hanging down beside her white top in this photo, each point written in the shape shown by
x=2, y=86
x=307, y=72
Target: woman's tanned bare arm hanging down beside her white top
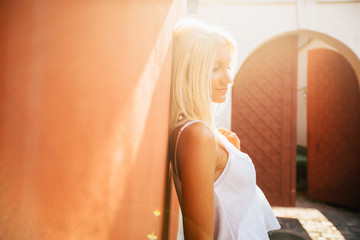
x=197, y=158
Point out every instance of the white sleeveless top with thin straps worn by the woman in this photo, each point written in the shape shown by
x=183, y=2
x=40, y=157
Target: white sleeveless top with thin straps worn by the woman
x=241, y=209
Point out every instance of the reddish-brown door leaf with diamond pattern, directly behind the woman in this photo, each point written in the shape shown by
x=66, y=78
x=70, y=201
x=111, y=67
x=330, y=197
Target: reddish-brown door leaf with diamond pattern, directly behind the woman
x=264, y=116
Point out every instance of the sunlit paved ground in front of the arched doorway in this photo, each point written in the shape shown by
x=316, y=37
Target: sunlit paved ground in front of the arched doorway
x=313, y=220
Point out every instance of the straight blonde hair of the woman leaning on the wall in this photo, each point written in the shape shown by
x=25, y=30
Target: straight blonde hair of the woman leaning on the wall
x=194, y=51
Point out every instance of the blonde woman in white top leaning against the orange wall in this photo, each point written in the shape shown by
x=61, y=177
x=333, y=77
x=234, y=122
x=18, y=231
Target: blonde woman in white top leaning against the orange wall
x=214, y=180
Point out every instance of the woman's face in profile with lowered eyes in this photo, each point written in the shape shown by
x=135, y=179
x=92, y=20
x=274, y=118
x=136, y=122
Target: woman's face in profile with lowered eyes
x=221, y=78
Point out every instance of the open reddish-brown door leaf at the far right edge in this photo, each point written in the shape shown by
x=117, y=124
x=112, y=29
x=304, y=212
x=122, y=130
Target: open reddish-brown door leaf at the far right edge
x=333, y=129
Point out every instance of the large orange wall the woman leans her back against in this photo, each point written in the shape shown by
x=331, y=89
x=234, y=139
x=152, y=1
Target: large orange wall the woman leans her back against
x=84, y=88
